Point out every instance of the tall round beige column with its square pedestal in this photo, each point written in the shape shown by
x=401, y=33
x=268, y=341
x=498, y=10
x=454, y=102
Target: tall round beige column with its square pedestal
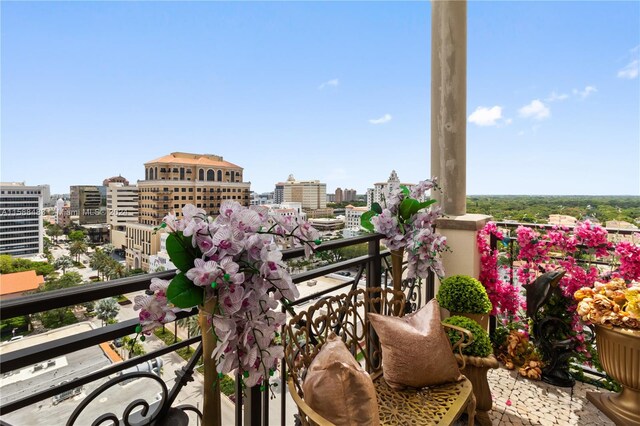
x=449, y=134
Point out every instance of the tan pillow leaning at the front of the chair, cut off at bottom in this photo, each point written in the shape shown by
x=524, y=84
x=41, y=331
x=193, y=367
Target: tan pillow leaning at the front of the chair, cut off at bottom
x=338, y=388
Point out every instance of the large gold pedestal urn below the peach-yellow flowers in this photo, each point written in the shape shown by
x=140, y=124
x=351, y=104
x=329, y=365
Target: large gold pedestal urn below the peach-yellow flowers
x=619, y=352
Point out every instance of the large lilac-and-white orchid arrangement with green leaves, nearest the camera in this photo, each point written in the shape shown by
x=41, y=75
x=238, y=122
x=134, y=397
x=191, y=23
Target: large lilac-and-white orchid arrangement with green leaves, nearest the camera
x=235, y=261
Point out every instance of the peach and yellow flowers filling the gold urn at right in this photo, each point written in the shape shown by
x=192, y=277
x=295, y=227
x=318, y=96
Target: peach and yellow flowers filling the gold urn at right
x=610, y=304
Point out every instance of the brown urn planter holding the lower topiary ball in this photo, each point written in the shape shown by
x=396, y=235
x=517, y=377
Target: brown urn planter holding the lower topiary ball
x=476, y=370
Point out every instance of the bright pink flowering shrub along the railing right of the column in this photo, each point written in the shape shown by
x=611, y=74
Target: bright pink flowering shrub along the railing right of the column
x=586, y=255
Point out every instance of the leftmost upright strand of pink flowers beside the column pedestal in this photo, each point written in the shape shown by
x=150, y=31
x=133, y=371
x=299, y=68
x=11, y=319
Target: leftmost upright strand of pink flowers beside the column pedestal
x=503, y=296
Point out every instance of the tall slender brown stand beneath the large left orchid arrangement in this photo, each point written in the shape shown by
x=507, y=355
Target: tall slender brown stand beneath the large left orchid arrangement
x=211, y=409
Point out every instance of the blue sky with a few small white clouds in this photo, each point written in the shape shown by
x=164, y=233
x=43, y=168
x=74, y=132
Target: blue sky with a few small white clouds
x=334, y=91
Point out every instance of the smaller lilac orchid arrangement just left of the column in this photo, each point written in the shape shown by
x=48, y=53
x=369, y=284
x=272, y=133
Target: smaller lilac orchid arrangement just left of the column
x=409, y=224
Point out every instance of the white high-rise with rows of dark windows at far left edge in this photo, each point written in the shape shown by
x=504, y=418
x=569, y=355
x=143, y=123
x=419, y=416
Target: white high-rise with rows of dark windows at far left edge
x=21, y=228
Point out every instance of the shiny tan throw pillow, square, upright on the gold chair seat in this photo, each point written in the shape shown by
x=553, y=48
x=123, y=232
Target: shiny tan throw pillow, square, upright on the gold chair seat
x=415, y=349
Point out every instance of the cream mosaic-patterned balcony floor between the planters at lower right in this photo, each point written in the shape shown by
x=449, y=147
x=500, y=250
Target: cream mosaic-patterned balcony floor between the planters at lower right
x=537, y=403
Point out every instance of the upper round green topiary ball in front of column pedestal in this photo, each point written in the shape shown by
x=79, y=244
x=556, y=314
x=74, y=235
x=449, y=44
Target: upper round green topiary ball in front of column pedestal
x=462, y=293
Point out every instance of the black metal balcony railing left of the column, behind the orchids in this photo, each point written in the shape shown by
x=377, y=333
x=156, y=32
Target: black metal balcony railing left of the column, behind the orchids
x=254, y=404
